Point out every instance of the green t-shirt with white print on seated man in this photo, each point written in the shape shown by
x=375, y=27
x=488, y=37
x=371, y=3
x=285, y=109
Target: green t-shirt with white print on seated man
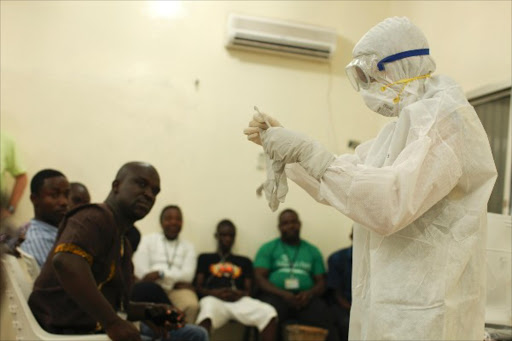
x=284, y=261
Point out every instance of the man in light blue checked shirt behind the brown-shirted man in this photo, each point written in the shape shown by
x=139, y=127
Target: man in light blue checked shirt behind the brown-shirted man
x=49, y=192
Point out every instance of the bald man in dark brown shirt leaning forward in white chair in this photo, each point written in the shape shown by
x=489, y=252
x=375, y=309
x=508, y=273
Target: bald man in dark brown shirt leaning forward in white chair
x=88, y=275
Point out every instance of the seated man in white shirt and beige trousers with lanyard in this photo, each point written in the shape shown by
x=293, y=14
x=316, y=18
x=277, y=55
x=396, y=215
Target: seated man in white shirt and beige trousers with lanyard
x=170, y=261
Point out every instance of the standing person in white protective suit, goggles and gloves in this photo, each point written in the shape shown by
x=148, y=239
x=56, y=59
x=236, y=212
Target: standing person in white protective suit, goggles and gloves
x=418, y=192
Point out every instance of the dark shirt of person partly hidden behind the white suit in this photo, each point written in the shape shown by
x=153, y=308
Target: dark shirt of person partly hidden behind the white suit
x=339, y=273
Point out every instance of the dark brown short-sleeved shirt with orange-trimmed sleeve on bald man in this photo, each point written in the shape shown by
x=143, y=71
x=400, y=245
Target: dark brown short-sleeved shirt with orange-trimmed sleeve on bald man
x=92, y=232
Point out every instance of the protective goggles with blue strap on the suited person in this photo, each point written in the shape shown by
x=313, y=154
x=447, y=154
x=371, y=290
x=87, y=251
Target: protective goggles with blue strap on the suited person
x=359, y=70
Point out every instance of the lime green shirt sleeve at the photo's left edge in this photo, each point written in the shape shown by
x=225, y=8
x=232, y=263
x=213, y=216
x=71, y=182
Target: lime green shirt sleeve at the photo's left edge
x=10, y=161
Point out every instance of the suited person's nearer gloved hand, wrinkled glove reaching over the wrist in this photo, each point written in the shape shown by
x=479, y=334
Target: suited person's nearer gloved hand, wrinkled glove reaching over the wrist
x=287, y=146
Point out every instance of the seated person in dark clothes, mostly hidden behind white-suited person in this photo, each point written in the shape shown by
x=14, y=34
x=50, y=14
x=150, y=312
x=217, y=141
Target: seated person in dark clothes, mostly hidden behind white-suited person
x=339, y=288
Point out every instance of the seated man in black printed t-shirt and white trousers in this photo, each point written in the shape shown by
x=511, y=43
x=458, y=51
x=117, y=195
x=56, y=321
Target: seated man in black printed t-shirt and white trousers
x=224, y=282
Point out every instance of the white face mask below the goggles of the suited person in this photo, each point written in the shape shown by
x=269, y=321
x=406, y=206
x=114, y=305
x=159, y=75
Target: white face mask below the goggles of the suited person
x=382, y=102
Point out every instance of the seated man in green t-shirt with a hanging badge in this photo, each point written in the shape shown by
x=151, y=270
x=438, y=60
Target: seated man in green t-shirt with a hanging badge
x=290, y=273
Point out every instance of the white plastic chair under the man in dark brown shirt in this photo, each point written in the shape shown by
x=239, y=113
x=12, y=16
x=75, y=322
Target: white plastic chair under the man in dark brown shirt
x=23, y=321
